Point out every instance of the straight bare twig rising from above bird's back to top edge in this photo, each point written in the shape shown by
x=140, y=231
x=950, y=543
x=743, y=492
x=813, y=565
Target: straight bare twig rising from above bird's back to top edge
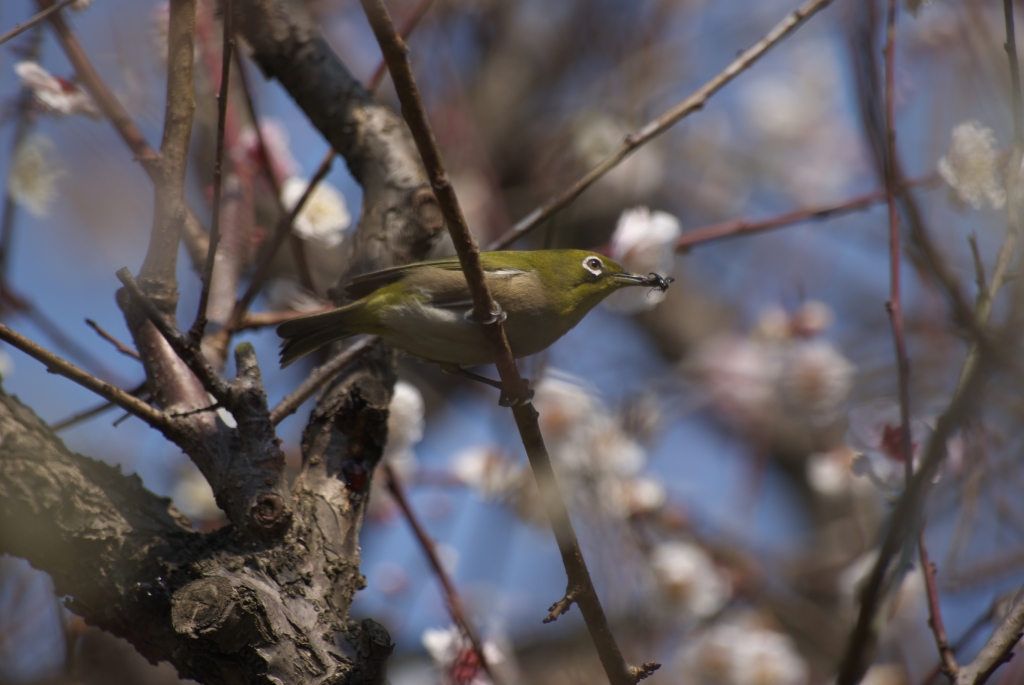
x=663, y=123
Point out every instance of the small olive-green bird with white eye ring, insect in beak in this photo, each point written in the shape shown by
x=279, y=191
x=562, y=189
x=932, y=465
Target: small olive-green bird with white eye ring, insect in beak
x=425, y=310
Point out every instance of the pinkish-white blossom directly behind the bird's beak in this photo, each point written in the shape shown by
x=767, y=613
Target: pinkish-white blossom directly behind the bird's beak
x=644, y=242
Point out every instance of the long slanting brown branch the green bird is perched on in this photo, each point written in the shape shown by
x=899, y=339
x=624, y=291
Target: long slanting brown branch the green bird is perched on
x=489, y=316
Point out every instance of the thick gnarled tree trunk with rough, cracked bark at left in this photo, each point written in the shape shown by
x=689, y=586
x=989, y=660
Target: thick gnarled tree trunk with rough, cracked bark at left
x=247, y=604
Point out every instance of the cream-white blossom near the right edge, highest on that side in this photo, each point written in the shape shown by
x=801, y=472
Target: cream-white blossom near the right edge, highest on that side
x=971, y=167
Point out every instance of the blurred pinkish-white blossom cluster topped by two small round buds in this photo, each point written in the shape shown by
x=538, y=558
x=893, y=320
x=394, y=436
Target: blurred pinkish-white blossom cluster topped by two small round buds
x=781, y=372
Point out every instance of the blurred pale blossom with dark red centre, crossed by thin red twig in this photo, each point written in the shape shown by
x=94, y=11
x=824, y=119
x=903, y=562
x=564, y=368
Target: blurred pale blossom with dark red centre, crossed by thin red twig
x=875, y=435
